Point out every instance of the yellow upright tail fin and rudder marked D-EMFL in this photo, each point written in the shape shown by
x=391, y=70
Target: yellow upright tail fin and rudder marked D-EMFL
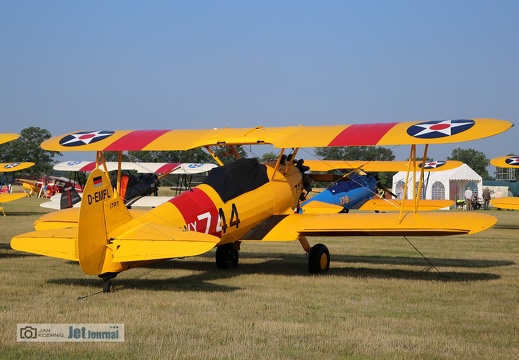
x=102, y=211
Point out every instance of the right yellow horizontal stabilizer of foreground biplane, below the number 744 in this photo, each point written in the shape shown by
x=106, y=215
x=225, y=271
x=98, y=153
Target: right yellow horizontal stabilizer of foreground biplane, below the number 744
x=153, y=242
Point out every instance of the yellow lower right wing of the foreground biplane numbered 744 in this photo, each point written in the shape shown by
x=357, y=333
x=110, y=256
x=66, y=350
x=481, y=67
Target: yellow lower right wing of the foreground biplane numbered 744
x=289, y=227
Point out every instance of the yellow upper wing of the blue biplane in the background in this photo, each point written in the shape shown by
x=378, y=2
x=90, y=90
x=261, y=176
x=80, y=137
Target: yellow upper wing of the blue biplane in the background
x=378, y=166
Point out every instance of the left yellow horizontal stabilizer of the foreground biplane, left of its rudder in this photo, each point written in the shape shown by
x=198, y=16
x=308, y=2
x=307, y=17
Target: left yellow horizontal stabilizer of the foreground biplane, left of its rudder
x=58, y=243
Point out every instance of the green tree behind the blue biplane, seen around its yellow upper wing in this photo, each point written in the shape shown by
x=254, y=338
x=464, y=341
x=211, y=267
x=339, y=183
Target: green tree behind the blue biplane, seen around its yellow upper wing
x=360, y=153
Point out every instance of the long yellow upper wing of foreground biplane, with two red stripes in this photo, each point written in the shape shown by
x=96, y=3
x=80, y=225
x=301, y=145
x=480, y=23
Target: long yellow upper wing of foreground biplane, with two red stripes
x=405, y=133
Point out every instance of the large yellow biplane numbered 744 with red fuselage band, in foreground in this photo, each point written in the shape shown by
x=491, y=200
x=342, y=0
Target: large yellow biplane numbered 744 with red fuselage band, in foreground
x=239, y=202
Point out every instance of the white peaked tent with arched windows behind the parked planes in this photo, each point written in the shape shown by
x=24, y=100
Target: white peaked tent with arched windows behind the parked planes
x=443, y=185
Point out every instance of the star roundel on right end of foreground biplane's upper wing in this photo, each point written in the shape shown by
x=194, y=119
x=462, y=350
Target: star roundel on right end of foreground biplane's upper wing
x=439, y=129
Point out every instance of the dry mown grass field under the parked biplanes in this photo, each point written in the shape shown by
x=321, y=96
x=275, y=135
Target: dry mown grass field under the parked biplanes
x=380, y=300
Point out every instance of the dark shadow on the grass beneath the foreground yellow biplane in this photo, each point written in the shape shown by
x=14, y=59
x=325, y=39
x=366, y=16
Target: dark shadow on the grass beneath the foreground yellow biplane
x=288, y=265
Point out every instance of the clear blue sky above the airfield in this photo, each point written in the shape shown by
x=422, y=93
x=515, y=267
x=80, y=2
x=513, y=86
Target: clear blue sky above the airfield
x=95, y=65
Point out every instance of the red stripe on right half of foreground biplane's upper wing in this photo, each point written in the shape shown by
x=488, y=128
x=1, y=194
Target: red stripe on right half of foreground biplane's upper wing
x=362, y=135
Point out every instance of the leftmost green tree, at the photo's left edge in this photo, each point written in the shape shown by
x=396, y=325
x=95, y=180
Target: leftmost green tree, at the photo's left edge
x=27, y=148
